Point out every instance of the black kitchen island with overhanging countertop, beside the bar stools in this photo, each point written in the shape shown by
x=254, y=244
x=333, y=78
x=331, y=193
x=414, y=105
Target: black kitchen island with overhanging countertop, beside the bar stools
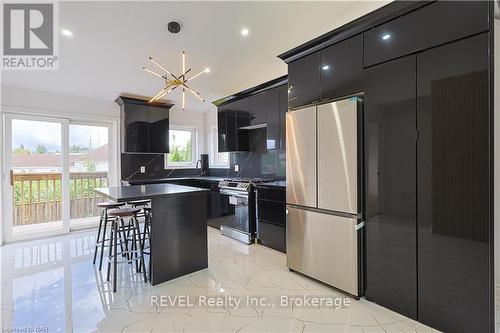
x=178, y=227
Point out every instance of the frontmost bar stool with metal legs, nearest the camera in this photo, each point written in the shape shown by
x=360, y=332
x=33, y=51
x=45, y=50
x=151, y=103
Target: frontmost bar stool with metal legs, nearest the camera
x=119, y=227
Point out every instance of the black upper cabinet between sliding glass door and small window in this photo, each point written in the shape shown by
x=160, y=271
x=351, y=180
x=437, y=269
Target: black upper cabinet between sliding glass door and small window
x=145, y=126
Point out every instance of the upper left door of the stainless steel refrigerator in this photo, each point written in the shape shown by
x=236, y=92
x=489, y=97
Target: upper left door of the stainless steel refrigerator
x=301, y=157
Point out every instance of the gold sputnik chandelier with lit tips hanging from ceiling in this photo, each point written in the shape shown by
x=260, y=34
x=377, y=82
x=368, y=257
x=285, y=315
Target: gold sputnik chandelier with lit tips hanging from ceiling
x=172, y=81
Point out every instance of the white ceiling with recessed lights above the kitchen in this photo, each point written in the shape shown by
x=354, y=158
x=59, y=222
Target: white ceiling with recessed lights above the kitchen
x=112, y=41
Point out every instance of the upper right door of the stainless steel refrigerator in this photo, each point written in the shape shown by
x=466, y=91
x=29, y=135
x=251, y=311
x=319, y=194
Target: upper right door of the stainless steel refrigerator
x=338, y=156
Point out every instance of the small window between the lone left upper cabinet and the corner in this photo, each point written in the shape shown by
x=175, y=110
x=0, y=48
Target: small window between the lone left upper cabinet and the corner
x=182, y=141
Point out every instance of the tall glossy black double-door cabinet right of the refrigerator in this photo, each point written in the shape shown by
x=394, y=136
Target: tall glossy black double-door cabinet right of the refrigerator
x=428, y=228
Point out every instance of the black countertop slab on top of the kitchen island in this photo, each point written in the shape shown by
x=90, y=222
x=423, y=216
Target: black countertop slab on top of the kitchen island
x=123, y=193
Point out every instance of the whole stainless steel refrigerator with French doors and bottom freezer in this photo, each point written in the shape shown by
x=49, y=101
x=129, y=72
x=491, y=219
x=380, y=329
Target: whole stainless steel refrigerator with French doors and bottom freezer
x=324, y=207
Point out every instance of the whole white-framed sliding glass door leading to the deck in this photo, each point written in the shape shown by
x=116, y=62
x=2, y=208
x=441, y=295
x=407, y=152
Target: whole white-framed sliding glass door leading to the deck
x=54, y=166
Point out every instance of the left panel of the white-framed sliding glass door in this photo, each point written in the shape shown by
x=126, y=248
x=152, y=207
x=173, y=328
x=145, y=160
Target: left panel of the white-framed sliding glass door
x=36, y=189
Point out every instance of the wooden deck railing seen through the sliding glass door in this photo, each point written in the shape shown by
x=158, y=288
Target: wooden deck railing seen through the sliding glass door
x=37, y=196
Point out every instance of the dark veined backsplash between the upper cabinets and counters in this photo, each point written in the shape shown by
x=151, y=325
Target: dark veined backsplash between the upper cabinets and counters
x=258, y=162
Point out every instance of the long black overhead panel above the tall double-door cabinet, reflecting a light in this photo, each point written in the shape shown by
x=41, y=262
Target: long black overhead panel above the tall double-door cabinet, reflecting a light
x=437, y=23
